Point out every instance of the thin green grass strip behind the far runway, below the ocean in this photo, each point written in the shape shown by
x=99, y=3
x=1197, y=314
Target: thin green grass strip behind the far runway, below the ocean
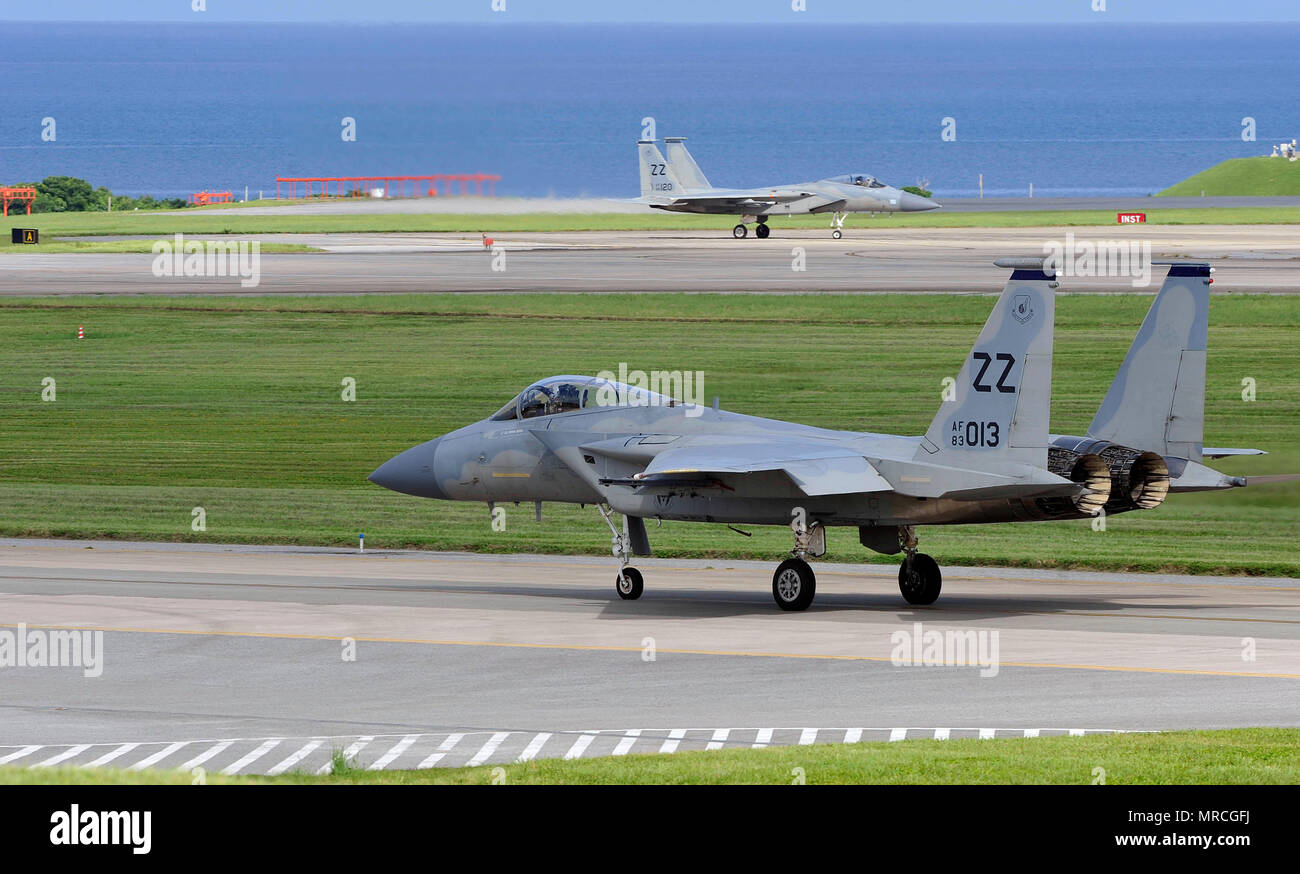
x=270, y=220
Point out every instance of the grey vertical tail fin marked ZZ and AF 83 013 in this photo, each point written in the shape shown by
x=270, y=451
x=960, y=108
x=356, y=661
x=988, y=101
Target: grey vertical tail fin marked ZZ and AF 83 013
x=999, y=409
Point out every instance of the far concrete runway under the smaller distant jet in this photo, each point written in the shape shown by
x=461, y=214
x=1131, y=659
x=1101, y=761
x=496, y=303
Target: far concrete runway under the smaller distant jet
x=872, y=258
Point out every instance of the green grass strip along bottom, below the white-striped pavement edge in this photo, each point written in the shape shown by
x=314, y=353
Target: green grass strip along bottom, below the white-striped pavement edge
x=1242, y=756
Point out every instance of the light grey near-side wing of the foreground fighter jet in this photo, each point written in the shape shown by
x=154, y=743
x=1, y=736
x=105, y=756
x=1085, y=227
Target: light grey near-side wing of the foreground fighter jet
x=814, y=470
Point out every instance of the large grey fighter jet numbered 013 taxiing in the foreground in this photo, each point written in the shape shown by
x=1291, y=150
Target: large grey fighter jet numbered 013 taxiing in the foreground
x=987, y=456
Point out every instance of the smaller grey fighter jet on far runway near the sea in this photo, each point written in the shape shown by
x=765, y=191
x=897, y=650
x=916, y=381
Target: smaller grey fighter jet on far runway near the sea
x=678, y=185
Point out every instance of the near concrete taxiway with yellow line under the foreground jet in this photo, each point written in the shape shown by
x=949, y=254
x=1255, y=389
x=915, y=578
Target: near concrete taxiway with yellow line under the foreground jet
x=232, y=657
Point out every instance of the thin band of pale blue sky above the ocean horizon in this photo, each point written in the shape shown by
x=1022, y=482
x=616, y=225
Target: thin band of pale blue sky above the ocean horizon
x=661, y=11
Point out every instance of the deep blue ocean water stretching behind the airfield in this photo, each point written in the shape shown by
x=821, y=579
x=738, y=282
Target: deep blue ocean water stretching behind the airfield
x=1095, y=110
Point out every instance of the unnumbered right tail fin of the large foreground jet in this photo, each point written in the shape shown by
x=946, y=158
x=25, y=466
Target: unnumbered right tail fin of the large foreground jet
x=1158, y=400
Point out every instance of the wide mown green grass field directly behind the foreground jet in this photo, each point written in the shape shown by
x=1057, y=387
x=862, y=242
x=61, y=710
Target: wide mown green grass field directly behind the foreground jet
x=233, y=405
